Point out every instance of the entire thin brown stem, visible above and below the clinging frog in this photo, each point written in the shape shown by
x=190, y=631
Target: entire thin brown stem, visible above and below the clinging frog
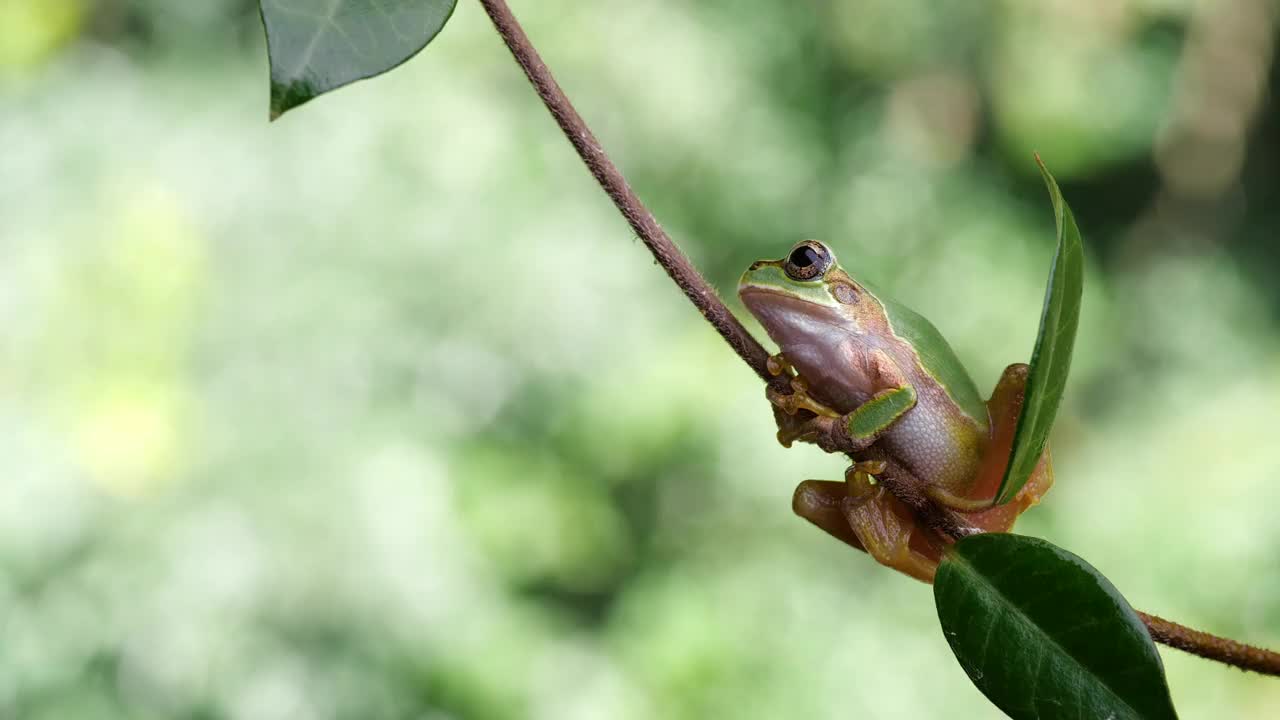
x=705, y=298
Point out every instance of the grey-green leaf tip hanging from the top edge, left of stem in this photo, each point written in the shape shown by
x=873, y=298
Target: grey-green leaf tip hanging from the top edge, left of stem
x=321, y=45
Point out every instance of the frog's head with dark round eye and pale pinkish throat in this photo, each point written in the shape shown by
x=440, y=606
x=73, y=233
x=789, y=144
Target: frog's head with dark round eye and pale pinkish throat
x=806, y=298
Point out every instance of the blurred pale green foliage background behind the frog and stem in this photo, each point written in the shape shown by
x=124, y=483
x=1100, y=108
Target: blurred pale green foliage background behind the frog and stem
x=382, y=412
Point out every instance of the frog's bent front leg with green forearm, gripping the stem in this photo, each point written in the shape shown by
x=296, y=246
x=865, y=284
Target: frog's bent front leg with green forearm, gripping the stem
x=852, y=432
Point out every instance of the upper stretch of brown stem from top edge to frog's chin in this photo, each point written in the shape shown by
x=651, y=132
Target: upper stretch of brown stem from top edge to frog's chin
x=642, y=221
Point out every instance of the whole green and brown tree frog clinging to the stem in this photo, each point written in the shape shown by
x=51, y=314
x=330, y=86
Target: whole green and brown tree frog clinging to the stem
x=871, y=379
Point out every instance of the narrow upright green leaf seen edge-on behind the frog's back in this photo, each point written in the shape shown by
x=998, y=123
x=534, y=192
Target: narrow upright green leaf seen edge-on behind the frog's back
x=1052, y=359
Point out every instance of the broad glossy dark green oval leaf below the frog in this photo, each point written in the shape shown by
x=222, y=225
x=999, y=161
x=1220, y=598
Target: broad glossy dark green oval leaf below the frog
x=1046, y=636
